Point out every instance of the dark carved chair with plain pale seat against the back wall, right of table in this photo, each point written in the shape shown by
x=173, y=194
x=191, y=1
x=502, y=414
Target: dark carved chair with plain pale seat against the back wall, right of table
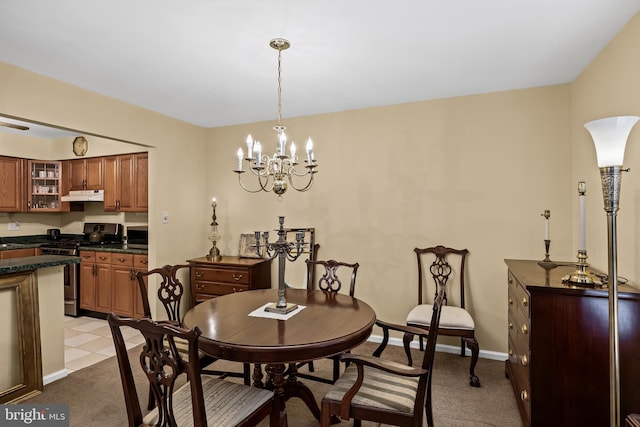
x=456, y=320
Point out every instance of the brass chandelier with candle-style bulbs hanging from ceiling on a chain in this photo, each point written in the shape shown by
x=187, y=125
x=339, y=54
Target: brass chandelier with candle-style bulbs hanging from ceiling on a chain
x=277, y=172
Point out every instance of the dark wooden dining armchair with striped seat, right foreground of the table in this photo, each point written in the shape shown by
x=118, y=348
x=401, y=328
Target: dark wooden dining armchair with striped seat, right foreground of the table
x=385, y=391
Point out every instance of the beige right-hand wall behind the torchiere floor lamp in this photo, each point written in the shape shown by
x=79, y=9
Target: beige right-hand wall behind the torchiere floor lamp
x=610, y=86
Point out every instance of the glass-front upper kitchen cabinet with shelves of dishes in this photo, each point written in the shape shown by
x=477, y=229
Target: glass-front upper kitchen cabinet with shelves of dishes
x=44, y=186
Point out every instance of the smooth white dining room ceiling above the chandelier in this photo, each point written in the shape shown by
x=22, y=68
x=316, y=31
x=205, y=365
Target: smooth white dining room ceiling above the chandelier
x=208, y=62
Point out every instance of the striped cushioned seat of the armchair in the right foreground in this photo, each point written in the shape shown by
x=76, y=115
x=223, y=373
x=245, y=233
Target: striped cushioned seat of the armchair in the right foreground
x=380, y=390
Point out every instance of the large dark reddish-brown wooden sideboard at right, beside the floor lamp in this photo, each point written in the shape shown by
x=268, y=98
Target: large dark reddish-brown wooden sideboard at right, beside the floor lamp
x=559, y=347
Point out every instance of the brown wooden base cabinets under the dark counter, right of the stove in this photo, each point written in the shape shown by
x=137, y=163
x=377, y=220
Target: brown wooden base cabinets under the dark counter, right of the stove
x=108, y=282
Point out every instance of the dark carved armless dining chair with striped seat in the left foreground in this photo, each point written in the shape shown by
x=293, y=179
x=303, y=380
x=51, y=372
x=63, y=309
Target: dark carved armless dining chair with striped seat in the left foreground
x=202, y=401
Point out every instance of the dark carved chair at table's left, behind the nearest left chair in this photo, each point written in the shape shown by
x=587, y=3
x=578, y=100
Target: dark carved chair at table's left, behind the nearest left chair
x=170, y=292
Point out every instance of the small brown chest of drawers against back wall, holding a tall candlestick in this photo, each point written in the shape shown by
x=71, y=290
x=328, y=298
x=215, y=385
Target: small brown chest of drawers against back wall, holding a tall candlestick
x=209, y=279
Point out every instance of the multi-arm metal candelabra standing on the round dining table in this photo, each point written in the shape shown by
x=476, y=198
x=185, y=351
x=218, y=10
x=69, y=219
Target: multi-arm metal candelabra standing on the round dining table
x=284, y=250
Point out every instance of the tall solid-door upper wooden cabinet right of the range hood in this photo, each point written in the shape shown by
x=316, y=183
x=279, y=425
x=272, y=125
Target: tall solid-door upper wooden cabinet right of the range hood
x=126, y=183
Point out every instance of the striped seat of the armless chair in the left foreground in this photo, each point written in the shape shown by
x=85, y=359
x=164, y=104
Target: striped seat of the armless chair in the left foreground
x=226, y=403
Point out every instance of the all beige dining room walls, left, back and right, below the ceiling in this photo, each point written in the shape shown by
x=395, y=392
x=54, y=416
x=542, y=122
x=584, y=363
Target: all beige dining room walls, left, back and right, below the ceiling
x=472, y=172
